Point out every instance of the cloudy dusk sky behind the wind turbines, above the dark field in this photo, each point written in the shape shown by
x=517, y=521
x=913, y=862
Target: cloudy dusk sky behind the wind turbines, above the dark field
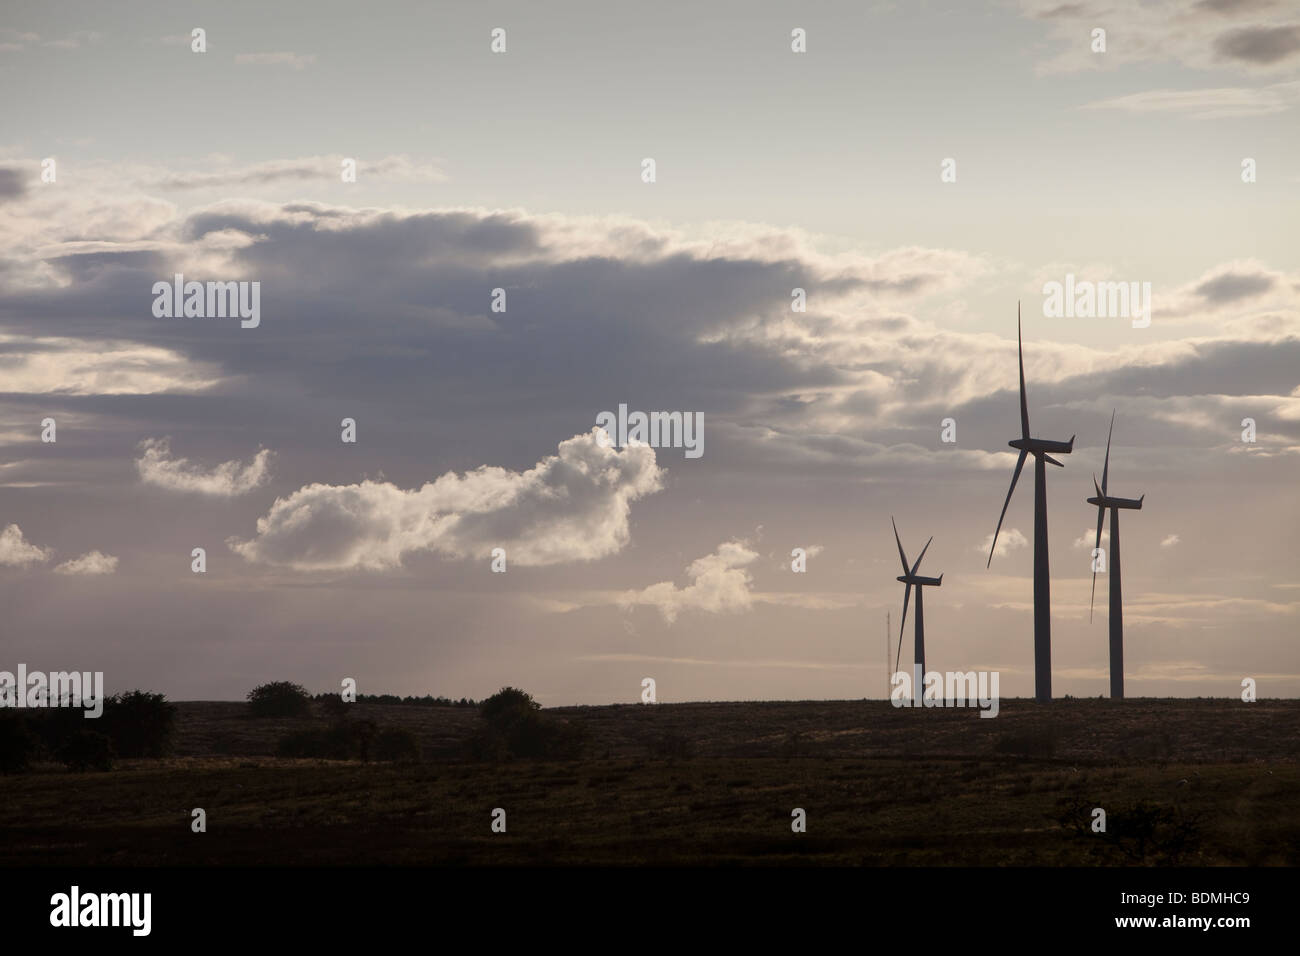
x=920, y=171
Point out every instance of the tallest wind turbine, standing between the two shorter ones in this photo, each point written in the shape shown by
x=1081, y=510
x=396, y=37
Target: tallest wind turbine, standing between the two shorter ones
x=1042, y=451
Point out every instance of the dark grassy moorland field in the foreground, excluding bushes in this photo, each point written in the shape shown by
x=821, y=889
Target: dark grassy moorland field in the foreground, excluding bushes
x=1188, y=782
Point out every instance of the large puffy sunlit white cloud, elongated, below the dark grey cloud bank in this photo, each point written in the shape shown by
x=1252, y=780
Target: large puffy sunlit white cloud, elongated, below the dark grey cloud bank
x=570, y=507
